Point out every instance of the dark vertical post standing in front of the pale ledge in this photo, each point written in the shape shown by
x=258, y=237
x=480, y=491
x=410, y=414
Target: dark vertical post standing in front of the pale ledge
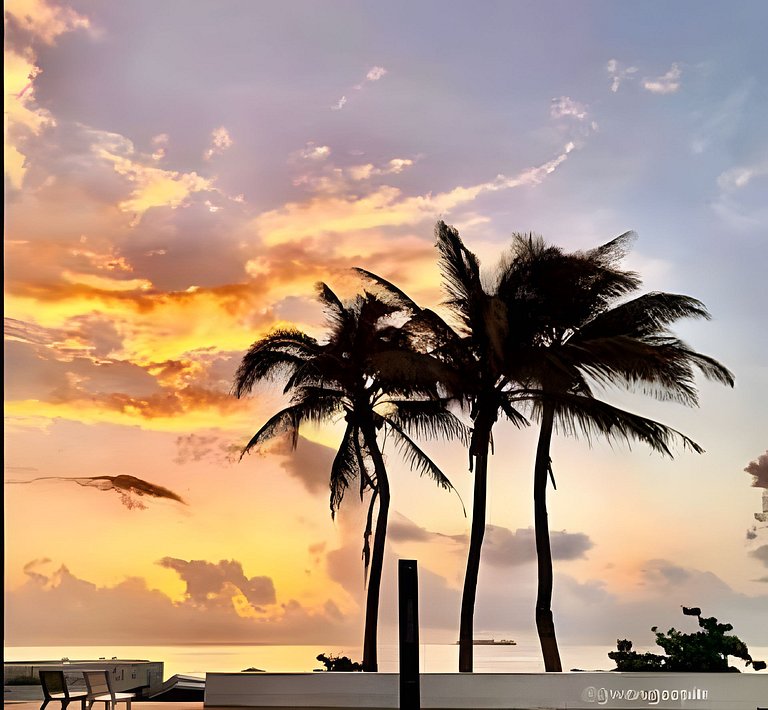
x=408, y=592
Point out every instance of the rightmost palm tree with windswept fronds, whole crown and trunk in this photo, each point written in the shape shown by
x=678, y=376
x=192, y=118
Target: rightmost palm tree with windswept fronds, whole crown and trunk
x=582, y=334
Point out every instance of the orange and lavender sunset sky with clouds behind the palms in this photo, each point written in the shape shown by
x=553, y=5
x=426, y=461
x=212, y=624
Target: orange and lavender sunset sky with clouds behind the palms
x=179, y=175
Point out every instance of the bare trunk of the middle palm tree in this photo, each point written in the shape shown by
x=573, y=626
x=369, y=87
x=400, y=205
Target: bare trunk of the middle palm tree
x=468, y=595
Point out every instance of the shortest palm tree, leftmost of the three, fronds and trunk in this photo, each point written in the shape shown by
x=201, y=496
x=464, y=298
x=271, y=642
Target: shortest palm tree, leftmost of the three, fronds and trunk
x=342, y=378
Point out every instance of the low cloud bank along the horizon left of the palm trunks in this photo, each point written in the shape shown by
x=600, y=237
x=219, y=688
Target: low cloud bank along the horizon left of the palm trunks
x=222, y=604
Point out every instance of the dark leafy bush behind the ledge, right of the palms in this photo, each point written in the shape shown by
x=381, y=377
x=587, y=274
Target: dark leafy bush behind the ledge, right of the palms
x=705, y=651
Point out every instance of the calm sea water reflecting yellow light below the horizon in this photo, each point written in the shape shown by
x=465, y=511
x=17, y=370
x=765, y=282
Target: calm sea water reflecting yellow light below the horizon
x=434, y=658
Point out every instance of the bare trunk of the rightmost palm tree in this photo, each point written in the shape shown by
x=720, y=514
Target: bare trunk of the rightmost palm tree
x=545, y=624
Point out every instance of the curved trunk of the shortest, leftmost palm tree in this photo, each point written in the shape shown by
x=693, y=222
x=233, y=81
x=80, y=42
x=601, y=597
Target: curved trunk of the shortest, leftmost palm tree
x=370, y=658
